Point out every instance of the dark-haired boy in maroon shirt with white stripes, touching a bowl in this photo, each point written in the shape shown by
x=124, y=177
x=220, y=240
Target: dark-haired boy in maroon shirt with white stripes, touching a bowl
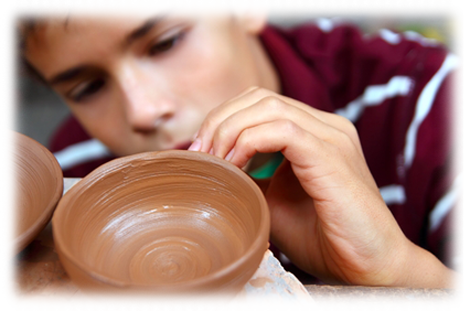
x=147, y=75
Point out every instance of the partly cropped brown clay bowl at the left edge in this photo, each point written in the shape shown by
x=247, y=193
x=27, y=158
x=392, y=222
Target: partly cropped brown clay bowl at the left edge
x=30, y=186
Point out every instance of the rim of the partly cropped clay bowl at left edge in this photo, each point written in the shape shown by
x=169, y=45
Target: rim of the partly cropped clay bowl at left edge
x=44, y=218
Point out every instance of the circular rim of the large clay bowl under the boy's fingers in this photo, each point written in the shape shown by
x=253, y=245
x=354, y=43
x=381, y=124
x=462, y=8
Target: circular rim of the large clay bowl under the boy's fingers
x=259, y=243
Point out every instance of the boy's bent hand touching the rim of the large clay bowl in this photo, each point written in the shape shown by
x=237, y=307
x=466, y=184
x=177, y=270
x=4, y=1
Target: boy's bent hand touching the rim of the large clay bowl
x=327, y=214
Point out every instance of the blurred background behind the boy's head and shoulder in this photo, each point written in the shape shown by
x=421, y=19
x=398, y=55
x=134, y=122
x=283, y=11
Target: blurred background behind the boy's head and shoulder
x=32, y=109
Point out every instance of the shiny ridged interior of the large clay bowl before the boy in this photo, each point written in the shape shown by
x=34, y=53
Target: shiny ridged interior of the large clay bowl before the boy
x=160, y=218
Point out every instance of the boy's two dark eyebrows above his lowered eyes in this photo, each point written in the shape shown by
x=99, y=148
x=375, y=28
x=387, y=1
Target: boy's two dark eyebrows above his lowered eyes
x=151, y=22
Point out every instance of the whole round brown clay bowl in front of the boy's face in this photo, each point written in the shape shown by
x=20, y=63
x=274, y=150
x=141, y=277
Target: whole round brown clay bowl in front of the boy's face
x=170, y=230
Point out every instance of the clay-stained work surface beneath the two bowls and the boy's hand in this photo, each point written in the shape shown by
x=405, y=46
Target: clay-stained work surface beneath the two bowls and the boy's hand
x=35, y=280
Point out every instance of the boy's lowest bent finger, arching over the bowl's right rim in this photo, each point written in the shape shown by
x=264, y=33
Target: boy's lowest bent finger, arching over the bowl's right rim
x=314, y=161
